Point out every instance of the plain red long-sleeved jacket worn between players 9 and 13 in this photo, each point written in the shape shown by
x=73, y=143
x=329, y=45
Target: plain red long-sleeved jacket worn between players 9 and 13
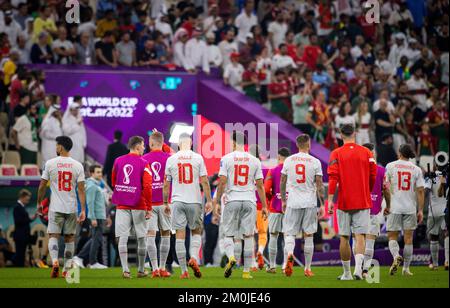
x=354, y=169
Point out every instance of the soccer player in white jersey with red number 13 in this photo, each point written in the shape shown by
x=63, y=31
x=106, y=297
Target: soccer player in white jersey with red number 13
x=406, y=185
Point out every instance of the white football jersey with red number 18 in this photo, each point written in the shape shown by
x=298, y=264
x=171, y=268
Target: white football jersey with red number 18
x=64, y=174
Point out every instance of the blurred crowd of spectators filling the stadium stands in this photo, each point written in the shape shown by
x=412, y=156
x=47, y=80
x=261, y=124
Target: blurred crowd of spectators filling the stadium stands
x=316, y=63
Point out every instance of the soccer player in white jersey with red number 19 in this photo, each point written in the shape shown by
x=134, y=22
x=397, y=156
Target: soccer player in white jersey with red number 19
x=239, y=172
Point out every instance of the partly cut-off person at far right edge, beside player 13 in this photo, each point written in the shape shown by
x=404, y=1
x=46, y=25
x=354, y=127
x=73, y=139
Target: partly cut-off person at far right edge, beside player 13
x=437, y=205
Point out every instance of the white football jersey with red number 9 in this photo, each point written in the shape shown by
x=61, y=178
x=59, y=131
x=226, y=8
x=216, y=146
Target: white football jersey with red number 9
x=301, y=170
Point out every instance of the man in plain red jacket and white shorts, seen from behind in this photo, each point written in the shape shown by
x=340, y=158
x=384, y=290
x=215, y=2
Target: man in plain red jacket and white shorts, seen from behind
x=353, y=169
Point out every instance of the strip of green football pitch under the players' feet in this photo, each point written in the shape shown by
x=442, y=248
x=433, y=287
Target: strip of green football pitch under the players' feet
x=325, y=277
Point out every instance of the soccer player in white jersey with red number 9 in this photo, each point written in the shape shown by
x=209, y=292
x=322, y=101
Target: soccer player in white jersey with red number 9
x=301, y=186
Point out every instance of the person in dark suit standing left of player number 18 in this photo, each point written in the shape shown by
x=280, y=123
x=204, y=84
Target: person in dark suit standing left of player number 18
x=22, y=221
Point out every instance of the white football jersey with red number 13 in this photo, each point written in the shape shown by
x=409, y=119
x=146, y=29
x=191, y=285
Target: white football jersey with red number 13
x=404, y=178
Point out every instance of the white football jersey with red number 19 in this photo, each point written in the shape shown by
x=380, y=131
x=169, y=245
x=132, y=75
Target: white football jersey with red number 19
x=242, y=171
